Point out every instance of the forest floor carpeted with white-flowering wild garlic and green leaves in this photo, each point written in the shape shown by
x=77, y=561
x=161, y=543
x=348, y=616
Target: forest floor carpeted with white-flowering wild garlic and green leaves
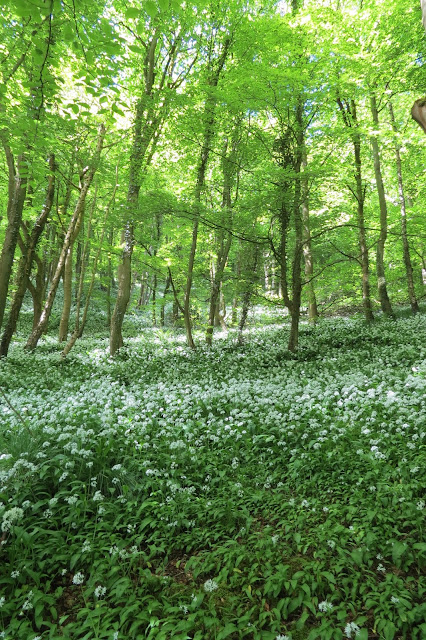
x=232, y=492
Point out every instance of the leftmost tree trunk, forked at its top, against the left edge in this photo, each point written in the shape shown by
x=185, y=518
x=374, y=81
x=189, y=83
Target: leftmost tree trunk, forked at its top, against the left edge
x=15, y=206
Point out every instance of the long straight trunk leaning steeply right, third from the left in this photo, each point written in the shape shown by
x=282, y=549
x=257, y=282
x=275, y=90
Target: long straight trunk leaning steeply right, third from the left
x=78, y=212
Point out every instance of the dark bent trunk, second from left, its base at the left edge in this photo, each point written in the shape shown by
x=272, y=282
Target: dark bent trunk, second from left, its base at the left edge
x=24, y=269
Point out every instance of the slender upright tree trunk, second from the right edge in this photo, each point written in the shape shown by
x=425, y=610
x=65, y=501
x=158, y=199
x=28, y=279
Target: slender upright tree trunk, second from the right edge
x=380, y=263
